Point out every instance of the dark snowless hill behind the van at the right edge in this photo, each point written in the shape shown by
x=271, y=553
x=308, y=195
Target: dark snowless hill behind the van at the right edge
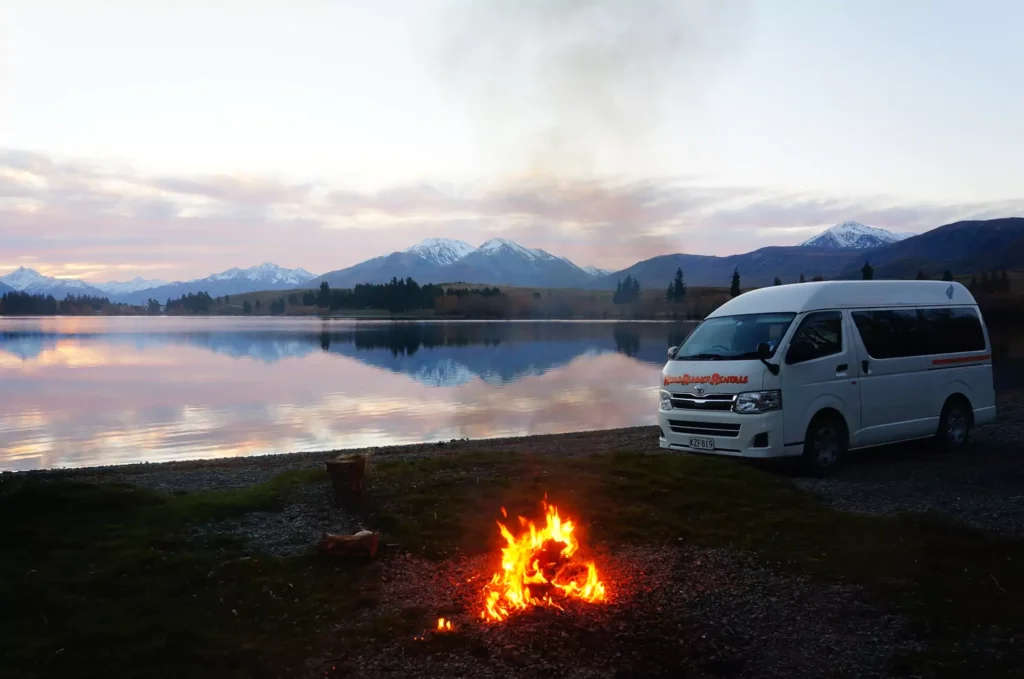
x=964, y=247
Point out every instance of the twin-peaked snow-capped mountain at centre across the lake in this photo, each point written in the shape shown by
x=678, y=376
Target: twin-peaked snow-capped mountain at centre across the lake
x=499, y=262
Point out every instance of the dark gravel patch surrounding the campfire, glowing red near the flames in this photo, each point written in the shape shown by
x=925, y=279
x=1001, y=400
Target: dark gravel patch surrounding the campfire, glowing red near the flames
x=672, y=612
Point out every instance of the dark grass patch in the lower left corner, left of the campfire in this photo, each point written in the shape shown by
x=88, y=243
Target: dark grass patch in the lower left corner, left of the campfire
x=105, y=581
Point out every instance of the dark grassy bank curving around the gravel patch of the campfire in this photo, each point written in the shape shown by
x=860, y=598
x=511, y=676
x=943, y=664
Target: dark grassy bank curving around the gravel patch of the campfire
x=113, y=581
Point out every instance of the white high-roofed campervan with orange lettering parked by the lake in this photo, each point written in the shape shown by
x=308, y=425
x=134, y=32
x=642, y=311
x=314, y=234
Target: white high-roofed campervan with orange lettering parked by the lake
x=818, y=369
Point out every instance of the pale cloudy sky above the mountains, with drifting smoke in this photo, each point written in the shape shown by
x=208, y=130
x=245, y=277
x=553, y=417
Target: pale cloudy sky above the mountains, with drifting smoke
x=176, y=139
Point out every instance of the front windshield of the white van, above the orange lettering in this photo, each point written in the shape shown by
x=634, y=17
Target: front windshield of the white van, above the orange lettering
x=735, y=337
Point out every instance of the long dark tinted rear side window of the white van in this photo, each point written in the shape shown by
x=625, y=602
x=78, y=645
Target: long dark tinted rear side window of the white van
x=904, y=333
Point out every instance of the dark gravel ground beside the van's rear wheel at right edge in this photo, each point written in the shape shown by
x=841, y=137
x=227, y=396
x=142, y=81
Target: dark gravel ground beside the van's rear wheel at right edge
x=983, y=487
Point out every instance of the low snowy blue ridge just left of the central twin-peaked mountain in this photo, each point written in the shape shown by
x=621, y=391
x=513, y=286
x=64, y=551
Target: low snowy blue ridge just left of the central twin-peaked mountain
x=233, y=282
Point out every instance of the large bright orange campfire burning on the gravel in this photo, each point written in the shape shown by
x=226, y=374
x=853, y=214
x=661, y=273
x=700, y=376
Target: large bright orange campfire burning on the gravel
x=539, y=568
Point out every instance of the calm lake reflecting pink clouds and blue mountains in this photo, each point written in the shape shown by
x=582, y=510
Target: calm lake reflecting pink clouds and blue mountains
x=80, y=392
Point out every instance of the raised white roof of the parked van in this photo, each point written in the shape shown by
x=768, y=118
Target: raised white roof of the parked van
x=799, y=298
